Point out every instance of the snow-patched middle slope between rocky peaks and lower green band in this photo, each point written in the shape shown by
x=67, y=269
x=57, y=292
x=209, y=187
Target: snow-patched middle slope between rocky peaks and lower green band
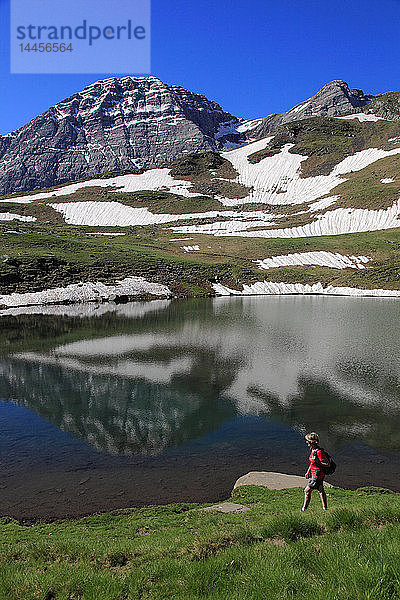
x=319, y=176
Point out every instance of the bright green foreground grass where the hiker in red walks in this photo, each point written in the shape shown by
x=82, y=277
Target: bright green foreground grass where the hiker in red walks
x=181, y=552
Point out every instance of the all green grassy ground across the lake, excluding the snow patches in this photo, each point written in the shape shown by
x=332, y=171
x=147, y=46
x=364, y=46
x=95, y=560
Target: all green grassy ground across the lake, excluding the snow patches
x=50, y=253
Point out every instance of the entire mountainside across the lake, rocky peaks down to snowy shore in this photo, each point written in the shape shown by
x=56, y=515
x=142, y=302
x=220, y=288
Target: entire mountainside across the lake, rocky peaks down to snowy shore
x=315, y=204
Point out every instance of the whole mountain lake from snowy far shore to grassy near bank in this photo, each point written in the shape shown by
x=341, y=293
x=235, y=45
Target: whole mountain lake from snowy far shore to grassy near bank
x=107, y=406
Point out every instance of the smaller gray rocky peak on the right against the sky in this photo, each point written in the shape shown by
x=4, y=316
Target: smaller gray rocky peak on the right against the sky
x=334, y=99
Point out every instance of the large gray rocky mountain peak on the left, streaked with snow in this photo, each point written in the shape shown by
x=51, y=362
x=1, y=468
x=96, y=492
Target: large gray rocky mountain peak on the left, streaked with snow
x=115, y=124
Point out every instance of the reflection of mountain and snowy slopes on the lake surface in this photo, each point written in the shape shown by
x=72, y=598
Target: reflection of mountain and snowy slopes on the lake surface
x=144, y=377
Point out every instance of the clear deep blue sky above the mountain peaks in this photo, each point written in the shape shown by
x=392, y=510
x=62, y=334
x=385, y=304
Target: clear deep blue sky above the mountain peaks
x=254, y=57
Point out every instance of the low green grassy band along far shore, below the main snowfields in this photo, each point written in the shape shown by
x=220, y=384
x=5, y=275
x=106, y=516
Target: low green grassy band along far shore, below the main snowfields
x=38, y=256
